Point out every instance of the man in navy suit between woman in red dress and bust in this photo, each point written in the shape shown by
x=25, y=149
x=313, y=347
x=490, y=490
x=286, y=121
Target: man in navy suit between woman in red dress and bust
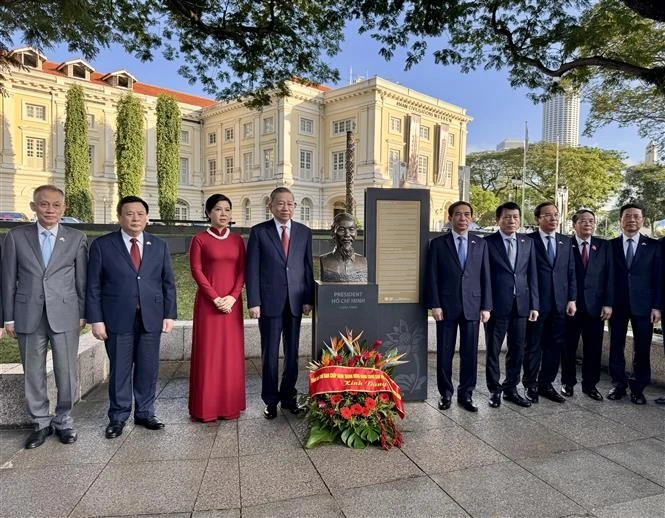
x=280, y=288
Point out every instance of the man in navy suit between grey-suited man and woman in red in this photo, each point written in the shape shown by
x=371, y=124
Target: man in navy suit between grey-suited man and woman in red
x=131, y=300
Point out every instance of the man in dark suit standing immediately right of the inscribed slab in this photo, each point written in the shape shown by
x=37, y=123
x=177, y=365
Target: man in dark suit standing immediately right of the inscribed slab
x=460, y=295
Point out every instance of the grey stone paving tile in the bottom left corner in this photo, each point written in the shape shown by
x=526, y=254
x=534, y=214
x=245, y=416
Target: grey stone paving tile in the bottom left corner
x=44, y=491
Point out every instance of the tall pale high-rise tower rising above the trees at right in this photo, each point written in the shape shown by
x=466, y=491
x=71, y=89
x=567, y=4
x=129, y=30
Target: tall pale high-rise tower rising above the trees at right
x=561, y=119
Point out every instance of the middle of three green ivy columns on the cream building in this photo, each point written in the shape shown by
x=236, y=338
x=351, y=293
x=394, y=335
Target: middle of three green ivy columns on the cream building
x=129, y=146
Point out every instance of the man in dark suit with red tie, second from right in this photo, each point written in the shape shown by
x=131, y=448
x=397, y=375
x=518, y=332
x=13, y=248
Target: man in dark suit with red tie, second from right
x=595, y=295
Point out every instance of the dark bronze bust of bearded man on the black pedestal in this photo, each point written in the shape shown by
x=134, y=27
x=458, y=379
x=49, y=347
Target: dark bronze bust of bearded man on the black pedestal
x=343, y=264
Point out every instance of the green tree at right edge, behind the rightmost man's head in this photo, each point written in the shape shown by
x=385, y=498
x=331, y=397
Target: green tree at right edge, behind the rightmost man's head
x=645, y=184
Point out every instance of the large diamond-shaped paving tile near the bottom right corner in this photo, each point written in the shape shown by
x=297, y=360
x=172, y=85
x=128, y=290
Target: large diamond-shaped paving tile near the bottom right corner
x=589, y=479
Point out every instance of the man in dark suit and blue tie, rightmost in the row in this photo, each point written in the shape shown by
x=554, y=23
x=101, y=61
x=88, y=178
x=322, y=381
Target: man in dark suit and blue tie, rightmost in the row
x=637, y=299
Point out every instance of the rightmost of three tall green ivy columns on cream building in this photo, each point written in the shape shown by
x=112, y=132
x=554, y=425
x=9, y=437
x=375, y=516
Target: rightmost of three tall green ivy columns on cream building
x=168, y=154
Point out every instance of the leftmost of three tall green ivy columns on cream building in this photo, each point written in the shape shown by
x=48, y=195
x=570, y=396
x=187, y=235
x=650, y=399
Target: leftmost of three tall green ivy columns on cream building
x=77, y=168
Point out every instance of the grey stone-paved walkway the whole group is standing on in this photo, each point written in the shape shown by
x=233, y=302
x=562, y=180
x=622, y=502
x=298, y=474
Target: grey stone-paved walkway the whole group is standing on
x=581, y=458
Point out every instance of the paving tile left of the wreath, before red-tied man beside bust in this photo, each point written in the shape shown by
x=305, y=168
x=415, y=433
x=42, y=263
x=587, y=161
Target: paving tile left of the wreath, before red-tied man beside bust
x=260, y=436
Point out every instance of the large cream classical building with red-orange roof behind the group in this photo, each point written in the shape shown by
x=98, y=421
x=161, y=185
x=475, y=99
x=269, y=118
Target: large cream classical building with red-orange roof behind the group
x=402, y=139
